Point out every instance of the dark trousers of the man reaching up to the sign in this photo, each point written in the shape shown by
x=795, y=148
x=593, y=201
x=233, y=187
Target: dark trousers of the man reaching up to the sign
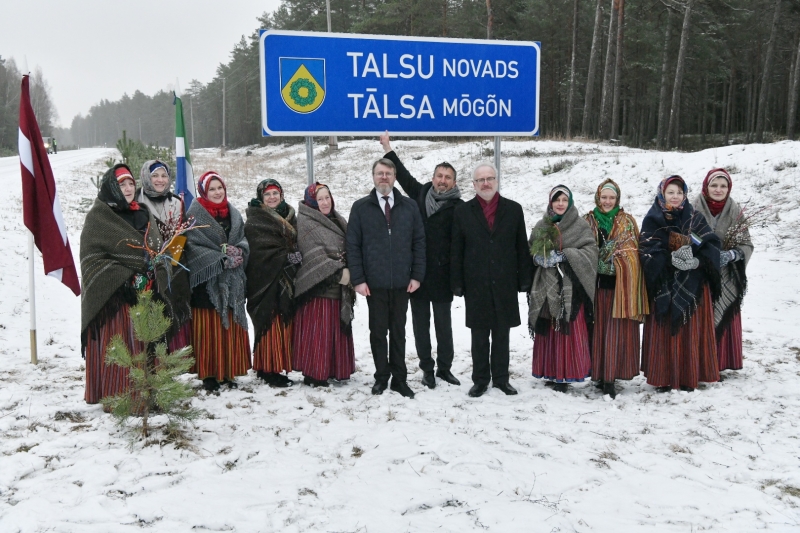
x=421, y=319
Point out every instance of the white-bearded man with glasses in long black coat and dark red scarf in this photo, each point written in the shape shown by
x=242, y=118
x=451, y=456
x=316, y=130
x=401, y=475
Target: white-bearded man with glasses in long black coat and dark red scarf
x=490, y=265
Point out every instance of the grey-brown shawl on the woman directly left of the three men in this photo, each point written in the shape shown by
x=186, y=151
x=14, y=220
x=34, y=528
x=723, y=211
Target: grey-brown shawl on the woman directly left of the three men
x=322, y=244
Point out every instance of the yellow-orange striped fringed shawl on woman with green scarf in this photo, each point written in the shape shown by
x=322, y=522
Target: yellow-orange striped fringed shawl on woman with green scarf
x=630, y=292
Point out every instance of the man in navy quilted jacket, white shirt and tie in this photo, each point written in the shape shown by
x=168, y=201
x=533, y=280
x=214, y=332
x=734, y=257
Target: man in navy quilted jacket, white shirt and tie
x=386, y=258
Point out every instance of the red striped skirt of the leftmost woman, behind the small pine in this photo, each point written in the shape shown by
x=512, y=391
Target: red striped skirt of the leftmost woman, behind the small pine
x=104, y=380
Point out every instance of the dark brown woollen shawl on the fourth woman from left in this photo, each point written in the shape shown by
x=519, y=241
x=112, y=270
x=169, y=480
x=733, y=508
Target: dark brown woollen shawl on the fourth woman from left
x=270, y=275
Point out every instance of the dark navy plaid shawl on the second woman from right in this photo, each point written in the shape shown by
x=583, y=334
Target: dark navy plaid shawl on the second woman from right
x=676, y=293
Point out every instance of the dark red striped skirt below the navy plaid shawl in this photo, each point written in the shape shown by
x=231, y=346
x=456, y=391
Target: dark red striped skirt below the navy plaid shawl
x=684, y=359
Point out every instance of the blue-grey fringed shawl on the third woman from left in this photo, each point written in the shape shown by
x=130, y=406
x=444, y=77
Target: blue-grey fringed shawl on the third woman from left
x=205, y=261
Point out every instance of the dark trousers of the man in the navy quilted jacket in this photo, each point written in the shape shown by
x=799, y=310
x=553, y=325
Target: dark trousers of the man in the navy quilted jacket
x=387, y=313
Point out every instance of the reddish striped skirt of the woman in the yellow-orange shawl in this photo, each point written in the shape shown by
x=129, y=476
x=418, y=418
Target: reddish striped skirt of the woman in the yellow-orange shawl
x=615, y=342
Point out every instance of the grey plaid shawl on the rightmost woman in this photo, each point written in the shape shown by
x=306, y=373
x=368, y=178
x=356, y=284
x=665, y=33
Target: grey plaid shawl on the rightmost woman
x=733, y=276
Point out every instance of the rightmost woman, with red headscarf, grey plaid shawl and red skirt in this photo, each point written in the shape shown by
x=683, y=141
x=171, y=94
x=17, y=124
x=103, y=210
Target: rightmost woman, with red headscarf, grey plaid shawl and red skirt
x=722, y=213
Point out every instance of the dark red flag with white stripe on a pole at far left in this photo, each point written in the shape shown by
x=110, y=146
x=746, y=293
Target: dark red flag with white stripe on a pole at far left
x=40, y=205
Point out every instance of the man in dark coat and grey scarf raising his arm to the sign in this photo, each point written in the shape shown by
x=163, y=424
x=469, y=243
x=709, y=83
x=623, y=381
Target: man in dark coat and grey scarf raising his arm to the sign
x=436, y=201
